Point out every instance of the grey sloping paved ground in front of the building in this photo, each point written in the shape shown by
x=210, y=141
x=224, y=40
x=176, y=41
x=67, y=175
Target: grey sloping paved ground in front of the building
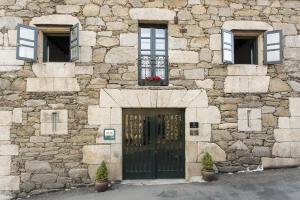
x=267, y=185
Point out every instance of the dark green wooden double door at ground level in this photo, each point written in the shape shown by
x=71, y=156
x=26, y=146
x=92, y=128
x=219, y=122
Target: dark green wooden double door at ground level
x=153, y=143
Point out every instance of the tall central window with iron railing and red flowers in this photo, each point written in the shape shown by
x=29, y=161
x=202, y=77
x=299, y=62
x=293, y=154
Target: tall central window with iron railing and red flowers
x=153, y=53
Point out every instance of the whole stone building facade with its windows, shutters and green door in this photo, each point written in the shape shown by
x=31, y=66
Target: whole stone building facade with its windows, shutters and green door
x=147, y=86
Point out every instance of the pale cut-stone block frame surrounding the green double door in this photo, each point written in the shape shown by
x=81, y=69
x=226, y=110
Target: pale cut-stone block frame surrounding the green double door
x=108, y=114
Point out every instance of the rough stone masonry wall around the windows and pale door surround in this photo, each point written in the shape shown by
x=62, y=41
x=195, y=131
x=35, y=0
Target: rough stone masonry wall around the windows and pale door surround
x=108, y=35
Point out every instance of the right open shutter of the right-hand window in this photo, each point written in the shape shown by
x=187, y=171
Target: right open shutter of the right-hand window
x=273, y=47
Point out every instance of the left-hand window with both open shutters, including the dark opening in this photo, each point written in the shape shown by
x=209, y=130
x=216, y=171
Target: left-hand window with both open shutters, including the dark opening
x=48, y=43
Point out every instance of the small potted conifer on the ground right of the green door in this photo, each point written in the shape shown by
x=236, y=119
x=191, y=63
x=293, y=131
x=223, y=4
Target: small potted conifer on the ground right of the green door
x=208, y=173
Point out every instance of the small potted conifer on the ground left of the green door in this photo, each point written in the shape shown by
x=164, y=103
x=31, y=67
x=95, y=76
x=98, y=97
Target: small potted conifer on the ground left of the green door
x=101, y=183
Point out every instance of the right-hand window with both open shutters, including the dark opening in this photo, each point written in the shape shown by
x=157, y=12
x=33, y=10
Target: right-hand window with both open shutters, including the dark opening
x=252, y=47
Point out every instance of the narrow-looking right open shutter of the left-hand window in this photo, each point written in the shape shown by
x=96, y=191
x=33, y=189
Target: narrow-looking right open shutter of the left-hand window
x=74, y=42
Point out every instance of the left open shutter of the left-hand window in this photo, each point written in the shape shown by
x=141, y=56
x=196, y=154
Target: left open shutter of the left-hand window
x=26, y=42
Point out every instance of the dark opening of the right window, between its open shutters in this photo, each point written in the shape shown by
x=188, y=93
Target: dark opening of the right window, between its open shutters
x=245, y=49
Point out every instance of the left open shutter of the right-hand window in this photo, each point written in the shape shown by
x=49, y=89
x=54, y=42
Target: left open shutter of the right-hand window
x=227, y=46
